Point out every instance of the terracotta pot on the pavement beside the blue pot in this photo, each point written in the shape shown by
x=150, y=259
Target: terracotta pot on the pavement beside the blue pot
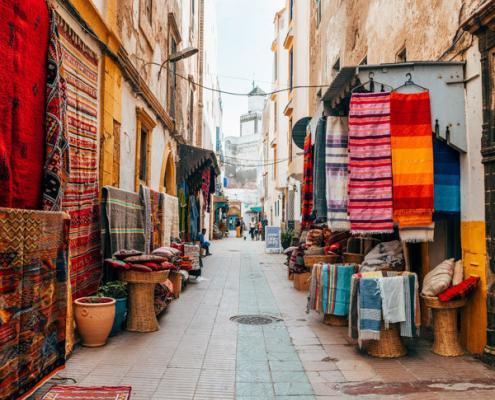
x=94, y=319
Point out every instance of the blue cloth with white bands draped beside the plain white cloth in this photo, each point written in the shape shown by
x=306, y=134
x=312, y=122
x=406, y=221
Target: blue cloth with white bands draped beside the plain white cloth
x=370, y=309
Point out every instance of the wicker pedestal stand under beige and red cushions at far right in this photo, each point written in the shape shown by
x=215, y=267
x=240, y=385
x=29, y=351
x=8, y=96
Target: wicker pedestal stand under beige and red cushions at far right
x=446, y=337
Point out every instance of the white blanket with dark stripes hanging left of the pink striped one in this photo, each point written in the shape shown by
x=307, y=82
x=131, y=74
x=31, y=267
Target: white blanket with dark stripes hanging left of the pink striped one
x=337, y=159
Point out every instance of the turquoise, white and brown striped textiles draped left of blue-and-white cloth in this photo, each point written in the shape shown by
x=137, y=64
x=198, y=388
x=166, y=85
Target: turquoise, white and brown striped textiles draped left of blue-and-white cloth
x=329, y=291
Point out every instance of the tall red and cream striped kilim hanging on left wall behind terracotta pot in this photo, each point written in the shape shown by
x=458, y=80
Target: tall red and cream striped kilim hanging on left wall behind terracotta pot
x=80, y=198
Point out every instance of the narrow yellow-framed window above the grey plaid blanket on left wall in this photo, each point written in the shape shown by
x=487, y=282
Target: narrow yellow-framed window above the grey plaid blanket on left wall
x=144, y=129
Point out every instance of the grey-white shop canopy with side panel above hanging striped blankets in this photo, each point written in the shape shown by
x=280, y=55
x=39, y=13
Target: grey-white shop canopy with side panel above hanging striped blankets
x=444, y=80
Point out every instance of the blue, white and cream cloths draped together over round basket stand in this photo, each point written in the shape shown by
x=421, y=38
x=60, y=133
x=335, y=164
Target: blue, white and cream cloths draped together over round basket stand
x=391, y=297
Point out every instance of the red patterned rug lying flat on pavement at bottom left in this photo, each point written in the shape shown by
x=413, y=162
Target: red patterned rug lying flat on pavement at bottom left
x=88, y=393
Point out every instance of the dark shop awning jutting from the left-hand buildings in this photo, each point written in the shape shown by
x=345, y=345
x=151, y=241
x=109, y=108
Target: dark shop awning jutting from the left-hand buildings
x=193, y=160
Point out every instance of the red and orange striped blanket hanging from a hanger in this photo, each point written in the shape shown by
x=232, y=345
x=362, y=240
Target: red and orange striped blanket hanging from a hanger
x=412, y=158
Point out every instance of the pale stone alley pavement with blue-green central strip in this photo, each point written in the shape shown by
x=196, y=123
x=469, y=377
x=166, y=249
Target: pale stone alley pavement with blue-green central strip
x=199, y=353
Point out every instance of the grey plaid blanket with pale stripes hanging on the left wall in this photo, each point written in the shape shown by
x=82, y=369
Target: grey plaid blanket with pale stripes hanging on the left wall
x=122, y=222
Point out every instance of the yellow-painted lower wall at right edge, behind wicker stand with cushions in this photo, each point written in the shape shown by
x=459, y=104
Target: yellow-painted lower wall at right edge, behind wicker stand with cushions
x=473, y=315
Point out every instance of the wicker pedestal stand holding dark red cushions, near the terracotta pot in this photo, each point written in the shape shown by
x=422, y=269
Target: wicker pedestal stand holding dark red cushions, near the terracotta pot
x=141, y=288
